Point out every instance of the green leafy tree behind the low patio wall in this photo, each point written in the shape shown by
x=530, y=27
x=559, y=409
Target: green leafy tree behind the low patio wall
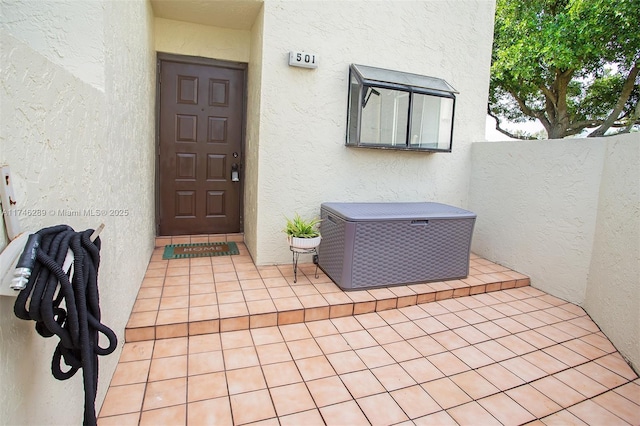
x=571, y=64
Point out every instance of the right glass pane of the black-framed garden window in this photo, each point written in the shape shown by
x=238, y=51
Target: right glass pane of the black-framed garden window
x=431, y=122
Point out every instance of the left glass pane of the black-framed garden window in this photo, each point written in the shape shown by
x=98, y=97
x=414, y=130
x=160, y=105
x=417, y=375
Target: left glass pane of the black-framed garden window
x=384, y=117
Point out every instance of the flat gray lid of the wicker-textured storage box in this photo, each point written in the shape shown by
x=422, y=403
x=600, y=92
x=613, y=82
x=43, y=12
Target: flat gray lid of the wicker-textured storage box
x=395, y=211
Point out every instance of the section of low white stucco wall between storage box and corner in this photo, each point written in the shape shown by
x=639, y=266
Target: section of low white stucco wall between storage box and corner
x=537, y=204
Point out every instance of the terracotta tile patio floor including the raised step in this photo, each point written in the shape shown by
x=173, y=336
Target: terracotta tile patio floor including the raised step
x=486, y=350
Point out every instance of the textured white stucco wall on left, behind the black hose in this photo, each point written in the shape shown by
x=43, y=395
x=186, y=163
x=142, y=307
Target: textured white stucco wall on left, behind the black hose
x=74, y=144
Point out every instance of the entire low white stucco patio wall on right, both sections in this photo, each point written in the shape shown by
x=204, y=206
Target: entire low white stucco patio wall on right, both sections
x=565, y=212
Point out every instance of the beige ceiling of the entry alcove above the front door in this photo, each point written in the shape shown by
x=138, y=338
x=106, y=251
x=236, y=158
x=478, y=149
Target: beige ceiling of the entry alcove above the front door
x=235, y=14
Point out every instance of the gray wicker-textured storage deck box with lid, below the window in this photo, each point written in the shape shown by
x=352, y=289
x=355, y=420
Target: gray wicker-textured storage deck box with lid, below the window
x=382, y=244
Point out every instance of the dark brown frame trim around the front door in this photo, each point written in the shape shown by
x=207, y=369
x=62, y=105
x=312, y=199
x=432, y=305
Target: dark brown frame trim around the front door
x=197, y=60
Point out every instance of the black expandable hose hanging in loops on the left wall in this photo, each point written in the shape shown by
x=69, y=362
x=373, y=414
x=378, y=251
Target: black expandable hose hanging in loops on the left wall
x=66, y=304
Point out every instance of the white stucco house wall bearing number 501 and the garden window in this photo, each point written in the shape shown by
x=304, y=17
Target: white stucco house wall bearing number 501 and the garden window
x=303, y=160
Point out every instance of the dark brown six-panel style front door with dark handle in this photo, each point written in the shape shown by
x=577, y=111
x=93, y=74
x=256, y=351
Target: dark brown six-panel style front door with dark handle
x=200, y=164
